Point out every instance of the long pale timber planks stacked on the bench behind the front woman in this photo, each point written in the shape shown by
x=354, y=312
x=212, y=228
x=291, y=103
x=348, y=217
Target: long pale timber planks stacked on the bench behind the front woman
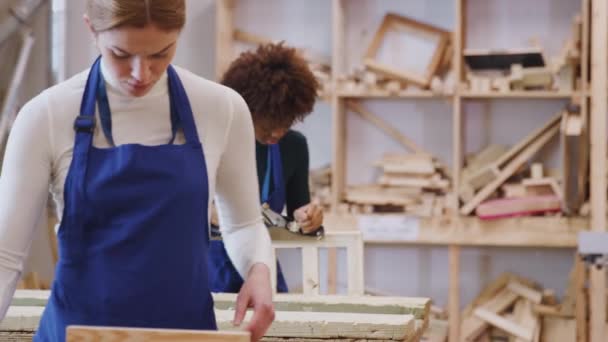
x=298, y=318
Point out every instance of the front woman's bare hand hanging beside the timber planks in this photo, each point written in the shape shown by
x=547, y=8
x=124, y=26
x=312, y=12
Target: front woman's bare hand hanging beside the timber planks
x=256, y=293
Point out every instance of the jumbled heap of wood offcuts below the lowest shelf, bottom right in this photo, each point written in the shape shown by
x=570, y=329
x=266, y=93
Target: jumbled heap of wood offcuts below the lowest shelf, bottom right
x=516, y=309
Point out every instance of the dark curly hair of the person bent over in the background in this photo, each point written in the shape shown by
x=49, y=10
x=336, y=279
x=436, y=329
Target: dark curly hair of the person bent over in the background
x=276, y=83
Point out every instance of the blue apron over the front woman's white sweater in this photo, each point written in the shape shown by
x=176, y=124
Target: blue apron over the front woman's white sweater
x=133, y=239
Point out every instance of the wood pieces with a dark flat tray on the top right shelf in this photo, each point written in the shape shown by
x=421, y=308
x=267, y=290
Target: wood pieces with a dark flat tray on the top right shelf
x=487, y=74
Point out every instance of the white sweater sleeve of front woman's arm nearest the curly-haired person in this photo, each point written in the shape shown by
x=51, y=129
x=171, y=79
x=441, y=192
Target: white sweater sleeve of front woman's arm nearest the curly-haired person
x=245, y=237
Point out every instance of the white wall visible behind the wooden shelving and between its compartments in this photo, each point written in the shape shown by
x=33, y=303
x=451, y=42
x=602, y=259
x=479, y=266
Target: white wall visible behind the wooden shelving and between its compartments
x=411, y=271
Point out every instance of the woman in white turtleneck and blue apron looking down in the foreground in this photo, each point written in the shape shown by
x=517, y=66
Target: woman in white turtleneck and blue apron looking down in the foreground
x=132, y=151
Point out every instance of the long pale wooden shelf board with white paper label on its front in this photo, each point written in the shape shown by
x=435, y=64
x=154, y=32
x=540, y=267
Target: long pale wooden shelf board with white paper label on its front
x=547, y=232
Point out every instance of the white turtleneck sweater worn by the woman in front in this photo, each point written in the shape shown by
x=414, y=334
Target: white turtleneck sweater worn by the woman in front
x=39, y=153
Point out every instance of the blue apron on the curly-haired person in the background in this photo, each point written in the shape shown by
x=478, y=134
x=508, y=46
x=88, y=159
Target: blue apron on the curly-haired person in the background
x=222, y=273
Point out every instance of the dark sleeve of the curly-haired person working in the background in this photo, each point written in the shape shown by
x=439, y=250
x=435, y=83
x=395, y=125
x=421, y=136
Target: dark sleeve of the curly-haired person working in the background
x=297, y=191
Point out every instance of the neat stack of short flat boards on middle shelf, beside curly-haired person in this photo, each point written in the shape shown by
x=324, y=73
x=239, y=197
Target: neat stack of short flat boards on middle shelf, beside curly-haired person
x=411, y=183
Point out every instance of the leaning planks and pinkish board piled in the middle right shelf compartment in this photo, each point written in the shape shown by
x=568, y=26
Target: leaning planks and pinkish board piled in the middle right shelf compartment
x=499, y=181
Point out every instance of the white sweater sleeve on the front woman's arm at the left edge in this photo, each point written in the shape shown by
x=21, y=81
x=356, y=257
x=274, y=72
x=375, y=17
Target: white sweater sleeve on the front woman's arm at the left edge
x=24, y=186
